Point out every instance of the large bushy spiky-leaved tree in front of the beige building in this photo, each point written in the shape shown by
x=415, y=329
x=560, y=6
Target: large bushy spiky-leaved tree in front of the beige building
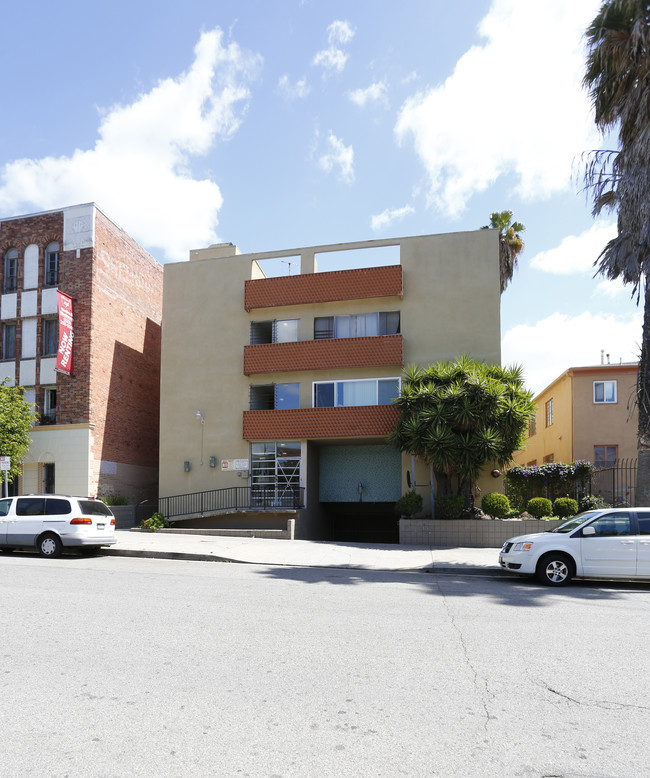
x=458, y=416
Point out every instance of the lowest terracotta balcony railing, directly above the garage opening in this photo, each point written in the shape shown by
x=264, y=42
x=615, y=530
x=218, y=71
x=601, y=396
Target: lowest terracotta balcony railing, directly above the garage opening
x=364, y=421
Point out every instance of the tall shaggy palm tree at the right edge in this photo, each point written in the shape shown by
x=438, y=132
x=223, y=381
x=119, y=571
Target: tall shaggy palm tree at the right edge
x=618, y=79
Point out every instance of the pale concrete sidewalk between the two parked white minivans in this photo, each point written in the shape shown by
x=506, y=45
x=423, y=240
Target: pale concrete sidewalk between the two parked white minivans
x=304, y=553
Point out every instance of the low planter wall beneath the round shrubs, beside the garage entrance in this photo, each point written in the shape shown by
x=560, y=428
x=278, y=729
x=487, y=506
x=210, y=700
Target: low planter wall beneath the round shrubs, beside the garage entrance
x=468, y=533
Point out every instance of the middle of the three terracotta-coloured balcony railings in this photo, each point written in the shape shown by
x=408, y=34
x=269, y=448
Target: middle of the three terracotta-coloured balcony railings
x=382, y=350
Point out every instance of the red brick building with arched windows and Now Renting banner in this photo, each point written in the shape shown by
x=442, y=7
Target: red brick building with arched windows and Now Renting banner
x=97, y=429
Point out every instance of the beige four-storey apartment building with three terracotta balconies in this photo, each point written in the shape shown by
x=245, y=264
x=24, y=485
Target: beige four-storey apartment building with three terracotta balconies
x=278, y=389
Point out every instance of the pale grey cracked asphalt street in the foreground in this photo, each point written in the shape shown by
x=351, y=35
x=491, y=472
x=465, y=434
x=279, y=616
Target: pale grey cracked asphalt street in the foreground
x=116, y=666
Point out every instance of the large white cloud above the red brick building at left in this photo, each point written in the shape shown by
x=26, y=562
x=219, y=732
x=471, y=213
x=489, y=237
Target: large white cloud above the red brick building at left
x=138, y=170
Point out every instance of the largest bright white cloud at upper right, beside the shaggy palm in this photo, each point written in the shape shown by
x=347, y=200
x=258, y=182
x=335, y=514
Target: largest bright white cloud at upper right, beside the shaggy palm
x=513, y=106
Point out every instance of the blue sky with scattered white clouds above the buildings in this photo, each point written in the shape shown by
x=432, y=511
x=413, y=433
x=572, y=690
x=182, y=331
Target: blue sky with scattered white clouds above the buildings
x=303, y=122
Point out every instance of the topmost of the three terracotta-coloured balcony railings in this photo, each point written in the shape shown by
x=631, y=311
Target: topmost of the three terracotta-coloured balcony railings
x=310, y=288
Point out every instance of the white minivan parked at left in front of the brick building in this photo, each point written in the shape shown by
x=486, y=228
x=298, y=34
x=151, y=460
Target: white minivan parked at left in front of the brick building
x=52, y=522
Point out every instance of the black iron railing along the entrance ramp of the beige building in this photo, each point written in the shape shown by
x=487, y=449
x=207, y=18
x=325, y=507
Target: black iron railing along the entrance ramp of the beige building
x=247, y=498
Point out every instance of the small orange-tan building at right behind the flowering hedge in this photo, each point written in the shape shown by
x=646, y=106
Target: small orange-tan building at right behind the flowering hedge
x=586, y=413
